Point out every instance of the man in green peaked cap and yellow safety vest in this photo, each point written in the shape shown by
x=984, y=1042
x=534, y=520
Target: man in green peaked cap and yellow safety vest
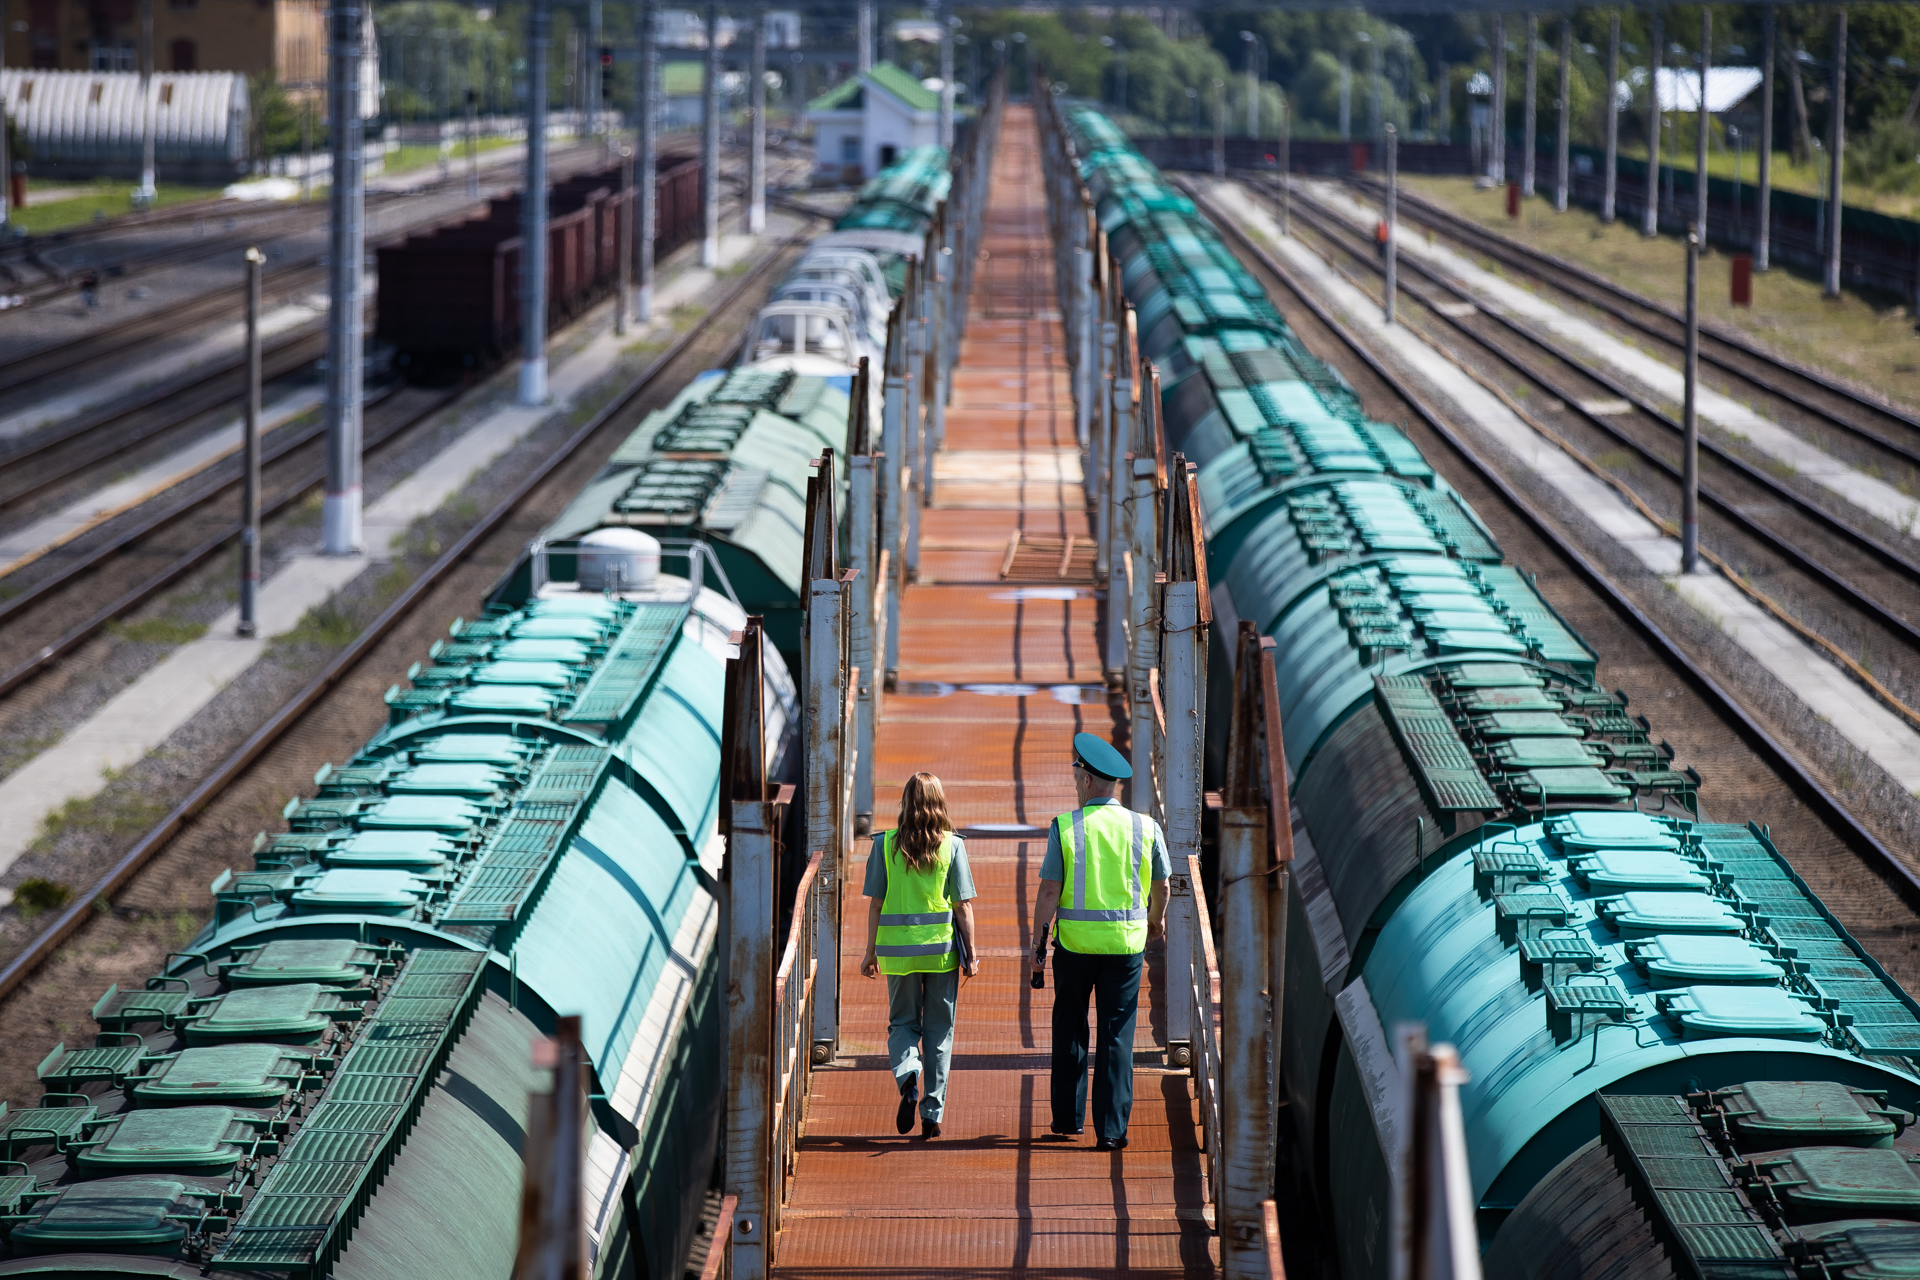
x=1105, y=897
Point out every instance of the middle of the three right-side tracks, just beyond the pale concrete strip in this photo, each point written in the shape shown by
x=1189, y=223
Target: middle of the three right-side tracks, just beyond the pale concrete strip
x=1869, y=590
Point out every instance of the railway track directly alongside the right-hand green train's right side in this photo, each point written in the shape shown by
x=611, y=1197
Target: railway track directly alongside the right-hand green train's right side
x=1748, y=767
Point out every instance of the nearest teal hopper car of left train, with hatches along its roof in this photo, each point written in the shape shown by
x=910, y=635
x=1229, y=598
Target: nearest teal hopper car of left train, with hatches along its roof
x=333, y=1078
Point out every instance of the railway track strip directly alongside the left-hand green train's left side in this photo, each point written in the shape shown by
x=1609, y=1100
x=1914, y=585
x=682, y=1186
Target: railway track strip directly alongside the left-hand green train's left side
x=281, y=749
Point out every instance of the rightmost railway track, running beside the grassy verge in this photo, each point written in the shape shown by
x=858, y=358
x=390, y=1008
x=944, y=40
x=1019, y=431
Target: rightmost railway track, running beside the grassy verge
x=1810, y=398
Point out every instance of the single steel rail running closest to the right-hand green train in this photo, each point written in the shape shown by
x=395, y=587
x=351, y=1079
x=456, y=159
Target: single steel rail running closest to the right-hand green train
x=1783, y=761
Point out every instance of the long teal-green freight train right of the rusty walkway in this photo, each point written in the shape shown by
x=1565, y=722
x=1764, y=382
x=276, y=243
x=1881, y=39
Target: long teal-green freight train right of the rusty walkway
x=1681, y=1062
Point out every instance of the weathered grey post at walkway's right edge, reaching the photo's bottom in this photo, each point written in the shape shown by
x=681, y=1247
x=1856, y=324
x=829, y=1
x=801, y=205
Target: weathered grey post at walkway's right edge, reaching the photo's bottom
x=1243, y=1031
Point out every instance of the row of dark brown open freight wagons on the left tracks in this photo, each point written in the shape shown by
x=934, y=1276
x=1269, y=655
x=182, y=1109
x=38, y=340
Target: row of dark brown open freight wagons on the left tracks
x=450, y=300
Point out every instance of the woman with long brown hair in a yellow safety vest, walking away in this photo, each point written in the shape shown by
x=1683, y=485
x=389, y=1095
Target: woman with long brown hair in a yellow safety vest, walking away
x=921, y=936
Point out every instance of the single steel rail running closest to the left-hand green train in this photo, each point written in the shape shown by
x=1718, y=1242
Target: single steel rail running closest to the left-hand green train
x=343, y=663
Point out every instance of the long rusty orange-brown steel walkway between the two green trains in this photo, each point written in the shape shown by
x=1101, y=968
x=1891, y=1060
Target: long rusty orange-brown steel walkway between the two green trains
x=996, y=678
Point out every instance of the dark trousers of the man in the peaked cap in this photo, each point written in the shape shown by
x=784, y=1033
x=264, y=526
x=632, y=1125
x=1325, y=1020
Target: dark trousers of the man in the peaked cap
x=1115, y=985
